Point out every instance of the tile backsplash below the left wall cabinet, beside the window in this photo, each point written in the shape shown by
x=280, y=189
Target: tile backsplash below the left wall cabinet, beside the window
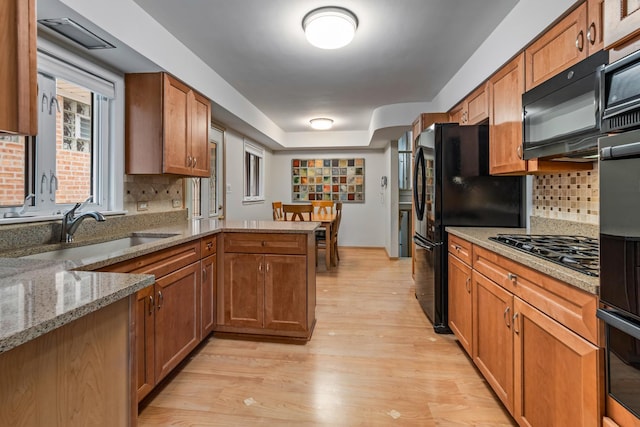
x=158, y=191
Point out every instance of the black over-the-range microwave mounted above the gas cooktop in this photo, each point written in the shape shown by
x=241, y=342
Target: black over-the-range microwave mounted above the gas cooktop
x=561, y=116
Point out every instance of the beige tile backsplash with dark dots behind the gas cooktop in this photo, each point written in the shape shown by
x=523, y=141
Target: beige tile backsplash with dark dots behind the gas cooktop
x=571, y=196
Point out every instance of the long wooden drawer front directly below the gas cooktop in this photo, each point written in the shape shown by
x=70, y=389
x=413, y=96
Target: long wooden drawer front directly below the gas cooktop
x=570, y=306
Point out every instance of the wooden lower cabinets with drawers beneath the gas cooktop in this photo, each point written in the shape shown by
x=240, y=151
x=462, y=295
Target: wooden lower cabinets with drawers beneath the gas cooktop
x=535, y=339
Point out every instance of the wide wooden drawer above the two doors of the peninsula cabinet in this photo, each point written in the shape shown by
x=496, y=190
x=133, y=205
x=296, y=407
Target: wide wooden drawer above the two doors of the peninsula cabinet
x=263, y=243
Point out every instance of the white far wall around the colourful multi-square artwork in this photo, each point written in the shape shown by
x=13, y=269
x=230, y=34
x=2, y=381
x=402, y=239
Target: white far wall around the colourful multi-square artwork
x=363, y=224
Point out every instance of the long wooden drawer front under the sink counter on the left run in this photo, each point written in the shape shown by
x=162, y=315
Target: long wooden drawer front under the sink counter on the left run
x=160, y=263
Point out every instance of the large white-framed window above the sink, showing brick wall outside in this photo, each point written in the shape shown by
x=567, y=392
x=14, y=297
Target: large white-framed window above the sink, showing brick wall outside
x=76, y=154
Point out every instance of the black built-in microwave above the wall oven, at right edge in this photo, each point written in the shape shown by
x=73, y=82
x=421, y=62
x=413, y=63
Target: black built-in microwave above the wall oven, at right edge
x=620, y=94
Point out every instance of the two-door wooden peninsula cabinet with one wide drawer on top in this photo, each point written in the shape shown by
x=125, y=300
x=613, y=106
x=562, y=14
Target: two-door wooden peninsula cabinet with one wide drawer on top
x=269, y=285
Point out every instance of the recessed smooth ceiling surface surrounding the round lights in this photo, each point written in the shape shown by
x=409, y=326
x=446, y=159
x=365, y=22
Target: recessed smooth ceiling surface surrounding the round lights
x=404, y=51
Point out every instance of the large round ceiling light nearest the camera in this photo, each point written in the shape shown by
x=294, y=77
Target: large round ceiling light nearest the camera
x=330, y=27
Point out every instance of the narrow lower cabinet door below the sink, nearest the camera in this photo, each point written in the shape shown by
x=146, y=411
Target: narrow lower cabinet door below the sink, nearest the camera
x=145, y=365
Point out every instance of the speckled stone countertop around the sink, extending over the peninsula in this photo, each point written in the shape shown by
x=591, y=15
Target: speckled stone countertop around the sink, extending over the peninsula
x=38, y=296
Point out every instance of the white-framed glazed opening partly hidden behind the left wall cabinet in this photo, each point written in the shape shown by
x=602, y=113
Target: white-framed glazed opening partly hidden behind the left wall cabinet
x=205, y=192
